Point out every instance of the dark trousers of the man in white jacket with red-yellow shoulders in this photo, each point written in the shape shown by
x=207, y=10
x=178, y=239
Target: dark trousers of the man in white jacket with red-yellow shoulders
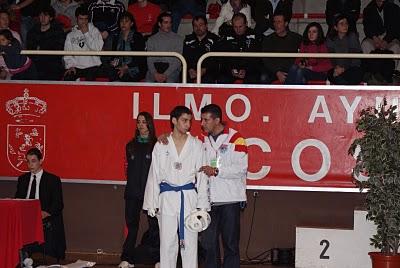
x=225, y=222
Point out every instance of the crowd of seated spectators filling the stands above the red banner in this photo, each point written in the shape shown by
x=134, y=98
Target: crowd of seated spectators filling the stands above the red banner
x=242, y=26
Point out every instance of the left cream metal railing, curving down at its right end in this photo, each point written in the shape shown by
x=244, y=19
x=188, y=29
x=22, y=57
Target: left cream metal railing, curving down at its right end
x=113, y=53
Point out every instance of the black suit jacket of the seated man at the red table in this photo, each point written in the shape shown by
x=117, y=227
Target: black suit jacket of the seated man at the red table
x=51, y=201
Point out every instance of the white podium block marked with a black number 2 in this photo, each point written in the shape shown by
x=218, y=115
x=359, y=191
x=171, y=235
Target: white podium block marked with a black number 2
x=335, y=248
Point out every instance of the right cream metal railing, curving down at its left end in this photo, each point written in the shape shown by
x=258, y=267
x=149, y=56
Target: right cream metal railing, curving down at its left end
x=290, y=55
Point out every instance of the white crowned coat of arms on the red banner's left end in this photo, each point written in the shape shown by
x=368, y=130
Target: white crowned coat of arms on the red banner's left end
x=25, y=133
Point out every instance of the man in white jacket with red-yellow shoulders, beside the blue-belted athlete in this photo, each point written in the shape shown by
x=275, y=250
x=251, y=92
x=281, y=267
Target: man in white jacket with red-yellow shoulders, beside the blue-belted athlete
x=227, y=161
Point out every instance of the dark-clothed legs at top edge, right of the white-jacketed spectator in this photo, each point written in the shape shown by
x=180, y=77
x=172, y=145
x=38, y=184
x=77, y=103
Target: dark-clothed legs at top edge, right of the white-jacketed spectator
x=263, y=12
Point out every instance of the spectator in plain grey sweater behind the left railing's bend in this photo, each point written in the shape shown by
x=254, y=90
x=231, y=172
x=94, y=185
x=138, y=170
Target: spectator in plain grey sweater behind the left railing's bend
x=164, y=69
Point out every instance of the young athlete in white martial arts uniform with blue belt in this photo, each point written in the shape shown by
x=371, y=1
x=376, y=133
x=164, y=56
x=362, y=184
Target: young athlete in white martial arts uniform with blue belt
x=175, y=188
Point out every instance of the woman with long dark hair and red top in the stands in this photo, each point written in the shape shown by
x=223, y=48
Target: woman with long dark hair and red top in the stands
x=306, y=69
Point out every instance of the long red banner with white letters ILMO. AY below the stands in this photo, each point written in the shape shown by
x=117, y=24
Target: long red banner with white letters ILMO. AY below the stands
x=297, y=137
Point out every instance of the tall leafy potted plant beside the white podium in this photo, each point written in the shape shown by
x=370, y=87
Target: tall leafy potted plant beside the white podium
x=377, y=154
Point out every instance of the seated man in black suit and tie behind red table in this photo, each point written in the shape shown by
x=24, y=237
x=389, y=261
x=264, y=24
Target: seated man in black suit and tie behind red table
x=39, y=184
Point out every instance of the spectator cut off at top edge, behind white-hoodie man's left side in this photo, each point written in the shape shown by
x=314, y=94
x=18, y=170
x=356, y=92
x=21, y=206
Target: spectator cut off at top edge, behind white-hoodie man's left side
x=65, y=13
